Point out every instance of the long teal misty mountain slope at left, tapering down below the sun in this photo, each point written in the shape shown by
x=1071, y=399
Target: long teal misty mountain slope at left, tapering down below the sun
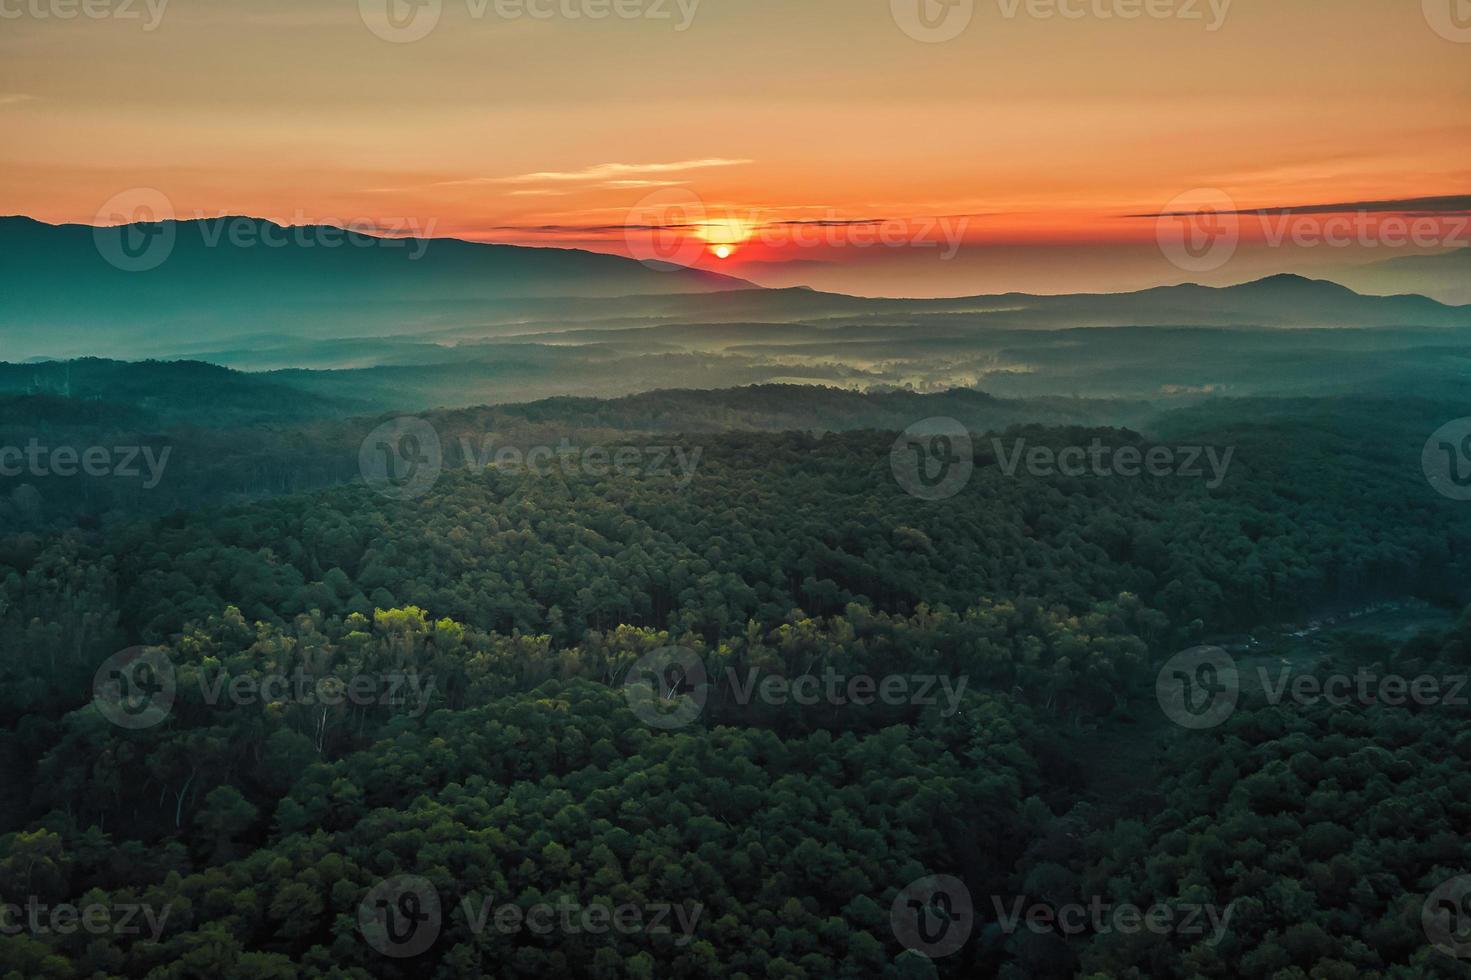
x=155, y=288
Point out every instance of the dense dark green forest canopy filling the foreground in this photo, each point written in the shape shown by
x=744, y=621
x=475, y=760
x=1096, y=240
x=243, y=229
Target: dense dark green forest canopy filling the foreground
x=458, y=710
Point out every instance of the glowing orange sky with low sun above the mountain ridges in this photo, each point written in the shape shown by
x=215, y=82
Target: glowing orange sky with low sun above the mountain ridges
x=1023, y=132
